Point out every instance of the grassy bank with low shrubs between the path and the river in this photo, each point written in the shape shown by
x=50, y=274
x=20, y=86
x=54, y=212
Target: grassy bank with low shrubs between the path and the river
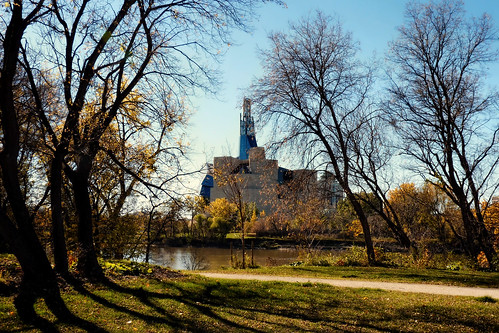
x=446, y=269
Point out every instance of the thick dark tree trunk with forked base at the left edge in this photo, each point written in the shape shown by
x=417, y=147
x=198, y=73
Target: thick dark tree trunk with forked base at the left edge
x=16, y=219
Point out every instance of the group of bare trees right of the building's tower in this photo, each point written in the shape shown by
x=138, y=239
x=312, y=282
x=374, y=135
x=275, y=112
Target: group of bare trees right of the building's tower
x=434, y=113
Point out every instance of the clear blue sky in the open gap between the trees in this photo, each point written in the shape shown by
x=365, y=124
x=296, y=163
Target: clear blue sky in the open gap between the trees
x=214, y=126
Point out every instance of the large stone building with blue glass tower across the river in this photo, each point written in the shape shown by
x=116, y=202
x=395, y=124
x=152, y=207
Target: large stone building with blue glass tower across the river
x=263, y=180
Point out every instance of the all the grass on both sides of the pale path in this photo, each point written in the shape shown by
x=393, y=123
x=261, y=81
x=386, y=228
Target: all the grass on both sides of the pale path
x=143, y=298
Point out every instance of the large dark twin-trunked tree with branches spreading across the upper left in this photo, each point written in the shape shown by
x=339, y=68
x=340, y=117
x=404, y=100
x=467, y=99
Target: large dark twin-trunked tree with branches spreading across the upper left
x=102, y=53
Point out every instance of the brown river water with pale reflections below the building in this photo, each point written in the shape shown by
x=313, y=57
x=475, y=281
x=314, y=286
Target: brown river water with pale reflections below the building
x=189, y=258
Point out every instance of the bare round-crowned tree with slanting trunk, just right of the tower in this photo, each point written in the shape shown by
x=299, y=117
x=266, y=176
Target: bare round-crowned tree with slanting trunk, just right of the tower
x=314, y=92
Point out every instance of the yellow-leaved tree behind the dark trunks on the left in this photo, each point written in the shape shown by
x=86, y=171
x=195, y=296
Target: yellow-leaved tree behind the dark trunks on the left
x=132, y=157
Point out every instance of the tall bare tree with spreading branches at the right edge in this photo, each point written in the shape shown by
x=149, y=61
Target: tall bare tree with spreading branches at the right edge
x=439, y=105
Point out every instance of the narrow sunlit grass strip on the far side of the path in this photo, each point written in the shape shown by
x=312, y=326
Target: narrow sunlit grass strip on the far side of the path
x=412, y=275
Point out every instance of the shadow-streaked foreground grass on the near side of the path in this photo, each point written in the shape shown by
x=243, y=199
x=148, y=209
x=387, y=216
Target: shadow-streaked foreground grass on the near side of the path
x=202, y=305
